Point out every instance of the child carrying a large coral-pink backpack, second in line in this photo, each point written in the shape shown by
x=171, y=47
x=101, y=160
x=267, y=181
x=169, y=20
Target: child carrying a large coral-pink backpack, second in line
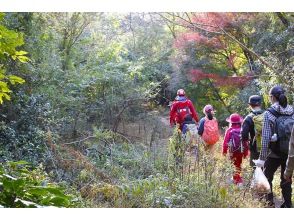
x=208, y=128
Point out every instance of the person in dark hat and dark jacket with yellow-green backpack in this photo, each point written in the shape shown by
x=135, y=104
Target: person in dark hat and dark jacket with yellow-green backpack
x=249, y=131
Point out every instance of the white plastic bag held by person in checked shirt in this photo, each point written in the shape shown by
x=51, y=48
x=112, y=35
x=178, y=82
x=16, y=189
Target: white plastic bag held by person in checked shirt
x=260, y=183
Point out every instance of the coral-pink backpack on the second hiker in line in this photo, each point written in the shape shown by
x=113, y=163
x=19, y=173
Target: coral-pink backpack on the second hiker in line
x=210, y=134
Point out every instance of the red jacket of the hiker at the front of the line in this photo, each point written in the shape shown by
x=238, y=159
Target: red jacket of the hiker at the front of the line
x=174, y=118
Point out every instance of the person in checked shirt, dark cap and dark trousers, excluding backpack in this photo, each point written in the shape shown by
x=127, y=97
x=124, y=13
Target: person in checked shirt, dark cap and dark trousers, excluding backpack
x=269, y=159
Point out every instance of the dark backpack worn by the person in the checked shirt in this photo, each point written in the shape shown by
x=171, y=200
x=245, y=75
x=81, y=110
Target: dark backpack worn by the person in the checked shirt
x=283, y=128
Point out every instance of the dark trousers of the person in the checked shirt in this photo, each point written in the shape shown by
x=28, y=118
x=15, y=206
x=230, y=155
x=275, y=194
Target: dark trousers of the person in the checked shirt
x=270, y=167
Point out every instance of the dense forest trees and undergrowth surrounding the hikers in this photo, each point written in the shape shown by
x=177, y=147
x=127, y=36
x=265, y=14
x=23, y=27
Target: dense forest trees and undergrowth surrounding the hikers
x=84, y=102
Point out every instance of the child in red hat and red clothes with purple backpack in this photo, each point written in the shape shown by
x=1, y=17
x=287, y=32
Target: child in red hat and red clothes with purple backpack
x=232, y=143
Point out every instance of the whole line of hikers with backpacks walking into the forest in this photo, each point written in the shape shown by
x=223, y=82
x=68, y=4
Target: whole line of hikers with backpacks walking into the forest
x=266, y=135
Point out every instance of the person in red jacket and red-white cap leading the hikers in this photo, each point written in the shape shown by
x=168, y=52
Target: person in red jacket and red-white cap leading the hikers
x=182, y=110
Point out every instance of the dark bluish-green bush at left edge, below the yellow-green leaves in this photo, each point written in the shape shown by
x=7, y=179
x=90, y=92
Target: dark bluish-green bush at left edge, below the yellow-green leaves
x=22, y=129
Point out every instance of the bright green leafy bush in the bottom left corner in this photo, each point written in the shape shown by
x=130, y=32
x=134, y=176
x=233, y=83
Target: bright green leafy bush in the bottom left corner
x=22, y=186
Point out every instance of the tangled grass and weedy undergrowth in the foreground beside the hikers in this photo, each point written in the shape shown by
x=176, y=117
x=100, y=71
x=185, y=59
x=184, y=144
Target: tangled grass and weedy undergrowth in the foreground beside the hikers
x=136, y=176
